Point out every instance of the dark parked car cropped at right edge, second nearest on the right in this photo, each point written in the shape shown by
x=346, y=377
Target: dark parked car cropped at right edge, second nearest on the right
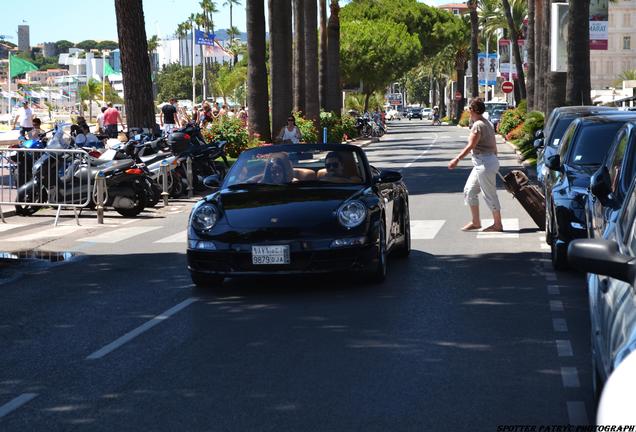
x=610, y=183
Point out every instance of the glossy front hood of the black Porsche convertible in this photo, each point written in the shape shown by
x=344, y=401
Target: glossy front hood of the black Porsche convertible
x=283, y=207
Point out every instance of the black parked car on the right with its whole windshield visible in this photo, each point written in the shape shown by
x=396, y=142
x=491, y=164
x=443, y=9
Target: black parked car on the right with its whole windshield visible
x=581, y=152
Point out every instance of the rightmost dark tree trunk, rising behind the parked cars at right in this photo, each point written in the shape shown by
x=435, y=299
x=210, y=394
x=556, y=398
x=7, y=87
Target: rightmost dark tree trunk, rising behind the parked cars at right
x=578, y=85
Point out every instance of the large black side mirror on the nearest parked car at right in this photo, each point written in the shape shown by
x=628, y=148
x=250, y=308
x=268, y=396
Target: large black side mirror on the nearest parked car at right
x=601, y=257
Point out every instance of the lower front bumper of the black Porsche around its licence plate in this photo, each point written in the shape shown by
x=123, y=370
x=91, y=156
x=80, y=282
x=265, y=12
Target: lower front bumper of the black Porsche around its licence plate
x=236, y=260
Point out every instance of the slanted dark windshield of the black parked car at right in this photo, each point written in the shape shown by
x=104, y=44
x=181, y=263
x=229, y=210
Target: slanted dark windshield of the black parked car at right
x=593, y=142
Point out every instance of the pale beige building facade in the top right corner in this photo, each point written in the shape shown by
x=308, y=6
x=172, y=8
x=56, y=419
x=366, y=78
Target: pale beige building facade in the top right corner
x=607, y=65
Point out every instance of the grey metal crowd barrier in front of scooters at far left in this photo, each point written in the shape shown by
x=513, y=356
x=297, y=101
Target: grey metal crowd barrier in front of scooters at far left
x=33, y=178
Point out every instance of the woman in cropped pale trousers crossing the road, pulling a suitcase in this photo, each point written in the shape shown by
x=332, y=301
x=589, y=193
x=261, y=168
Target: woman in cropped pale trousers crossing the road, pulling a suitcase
x=482, y=145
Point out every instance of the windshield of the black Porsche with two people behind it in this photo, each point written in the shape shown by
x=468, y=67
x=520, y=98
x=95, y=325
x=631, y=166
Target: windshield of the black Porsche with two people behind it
x=305, y=164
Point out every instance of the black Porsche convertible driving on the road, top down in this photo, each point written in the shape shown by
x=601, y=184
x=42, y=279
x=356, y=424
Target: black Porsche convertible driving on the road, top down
x=299, y=209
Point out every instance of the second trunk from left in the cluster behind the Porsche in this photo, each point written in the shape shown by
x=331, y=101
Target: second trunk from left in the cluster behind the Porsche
x=280, y=62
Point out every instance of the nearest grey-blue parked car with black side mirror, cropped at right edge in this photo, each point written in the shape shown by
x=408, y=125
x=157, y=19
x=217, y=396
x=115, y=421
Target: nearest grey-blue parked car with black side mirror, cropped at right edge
x=611, y=263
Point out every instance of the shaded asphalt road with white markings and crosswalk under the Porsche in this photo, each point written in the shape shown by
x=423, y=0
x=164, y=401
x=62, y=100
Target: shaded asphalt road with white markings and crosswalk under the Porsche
x=472, y=331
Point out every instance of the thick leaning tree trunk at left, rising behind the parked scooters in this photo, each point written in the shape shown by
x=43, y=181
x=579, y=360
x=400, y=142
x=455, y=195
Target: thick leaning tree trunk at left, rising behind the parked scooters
x=135, y=65
